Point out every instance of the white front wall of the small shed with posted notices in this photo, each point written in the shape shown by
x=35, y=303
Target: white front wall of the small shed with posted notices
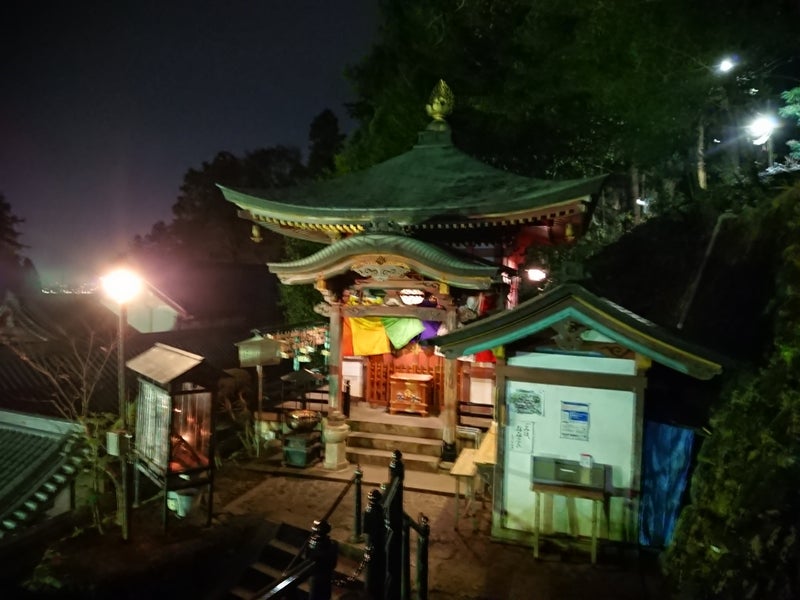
x=609, y=439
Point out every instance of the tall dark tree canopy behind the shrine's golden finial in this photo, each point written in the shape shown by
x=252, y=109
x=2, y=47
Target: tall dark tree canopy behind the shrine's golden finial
x=566, y=89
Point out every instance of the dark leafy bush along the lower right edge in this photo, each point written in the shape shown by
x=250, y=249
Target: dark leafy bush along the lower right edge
x=738, y=537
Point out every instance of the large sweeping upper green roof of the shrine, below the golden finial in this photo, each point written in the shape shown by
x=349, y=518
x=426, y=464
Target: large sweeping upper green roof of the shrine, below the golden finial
x=432, y=180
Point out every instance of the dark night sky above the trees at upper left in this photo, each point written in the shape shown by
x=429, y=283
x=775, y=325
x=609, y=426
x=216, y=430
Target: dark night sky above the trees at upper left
x=105, y=105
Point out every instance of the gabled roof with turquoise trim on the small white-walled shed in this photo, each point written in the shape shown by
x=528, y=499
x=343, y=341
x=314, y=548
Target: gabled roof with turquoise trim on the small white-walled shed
x=573, y=302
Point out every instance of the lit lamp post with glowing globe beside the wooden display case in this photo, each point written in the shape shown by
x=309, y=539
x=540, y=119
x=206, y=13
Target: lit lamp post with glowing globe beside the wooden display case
x=122, y=286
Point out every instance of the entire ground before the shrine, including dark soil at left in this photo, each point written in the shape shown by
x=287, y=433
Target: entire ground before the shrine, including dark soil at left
x=194, y=561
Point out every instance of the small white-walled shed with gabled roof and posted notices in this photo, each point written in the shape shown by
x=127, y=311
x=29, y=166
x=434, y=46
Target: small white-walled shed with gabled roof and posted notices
x=571, y=375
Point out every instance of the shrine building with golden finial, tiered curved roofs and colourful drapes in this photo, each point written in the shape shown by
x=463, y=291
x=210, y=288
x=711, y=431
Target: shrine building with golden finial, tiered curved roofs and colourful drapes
x=415, y=246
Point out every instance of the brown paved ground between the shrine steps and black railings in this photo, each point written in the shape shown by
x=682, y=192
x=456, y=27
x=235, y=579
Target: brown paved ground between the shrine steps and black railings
x=464, y=563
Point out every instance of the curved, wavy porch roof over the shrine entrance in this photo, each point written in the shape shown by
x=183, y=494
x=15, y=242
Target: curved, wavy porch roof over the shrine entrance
x=378, y=251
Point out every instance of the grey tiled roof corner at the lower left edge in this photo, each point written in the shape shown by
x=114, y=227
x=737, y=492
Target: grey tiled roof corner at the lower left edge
x=39, y=457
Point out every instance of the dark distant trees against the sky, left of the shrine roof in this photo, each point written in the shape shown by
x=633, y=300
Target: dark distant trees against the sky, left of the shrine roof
x=207, y=228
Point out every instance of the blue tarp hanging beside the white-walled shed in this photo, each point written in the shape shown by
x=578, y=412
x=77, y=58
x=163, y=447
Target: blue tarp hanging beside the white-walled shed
x=666, y=458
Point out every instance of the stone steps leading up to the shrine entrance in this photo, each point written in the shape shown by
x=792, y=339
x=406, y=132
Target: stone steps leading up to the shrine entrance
x=372, y=442
